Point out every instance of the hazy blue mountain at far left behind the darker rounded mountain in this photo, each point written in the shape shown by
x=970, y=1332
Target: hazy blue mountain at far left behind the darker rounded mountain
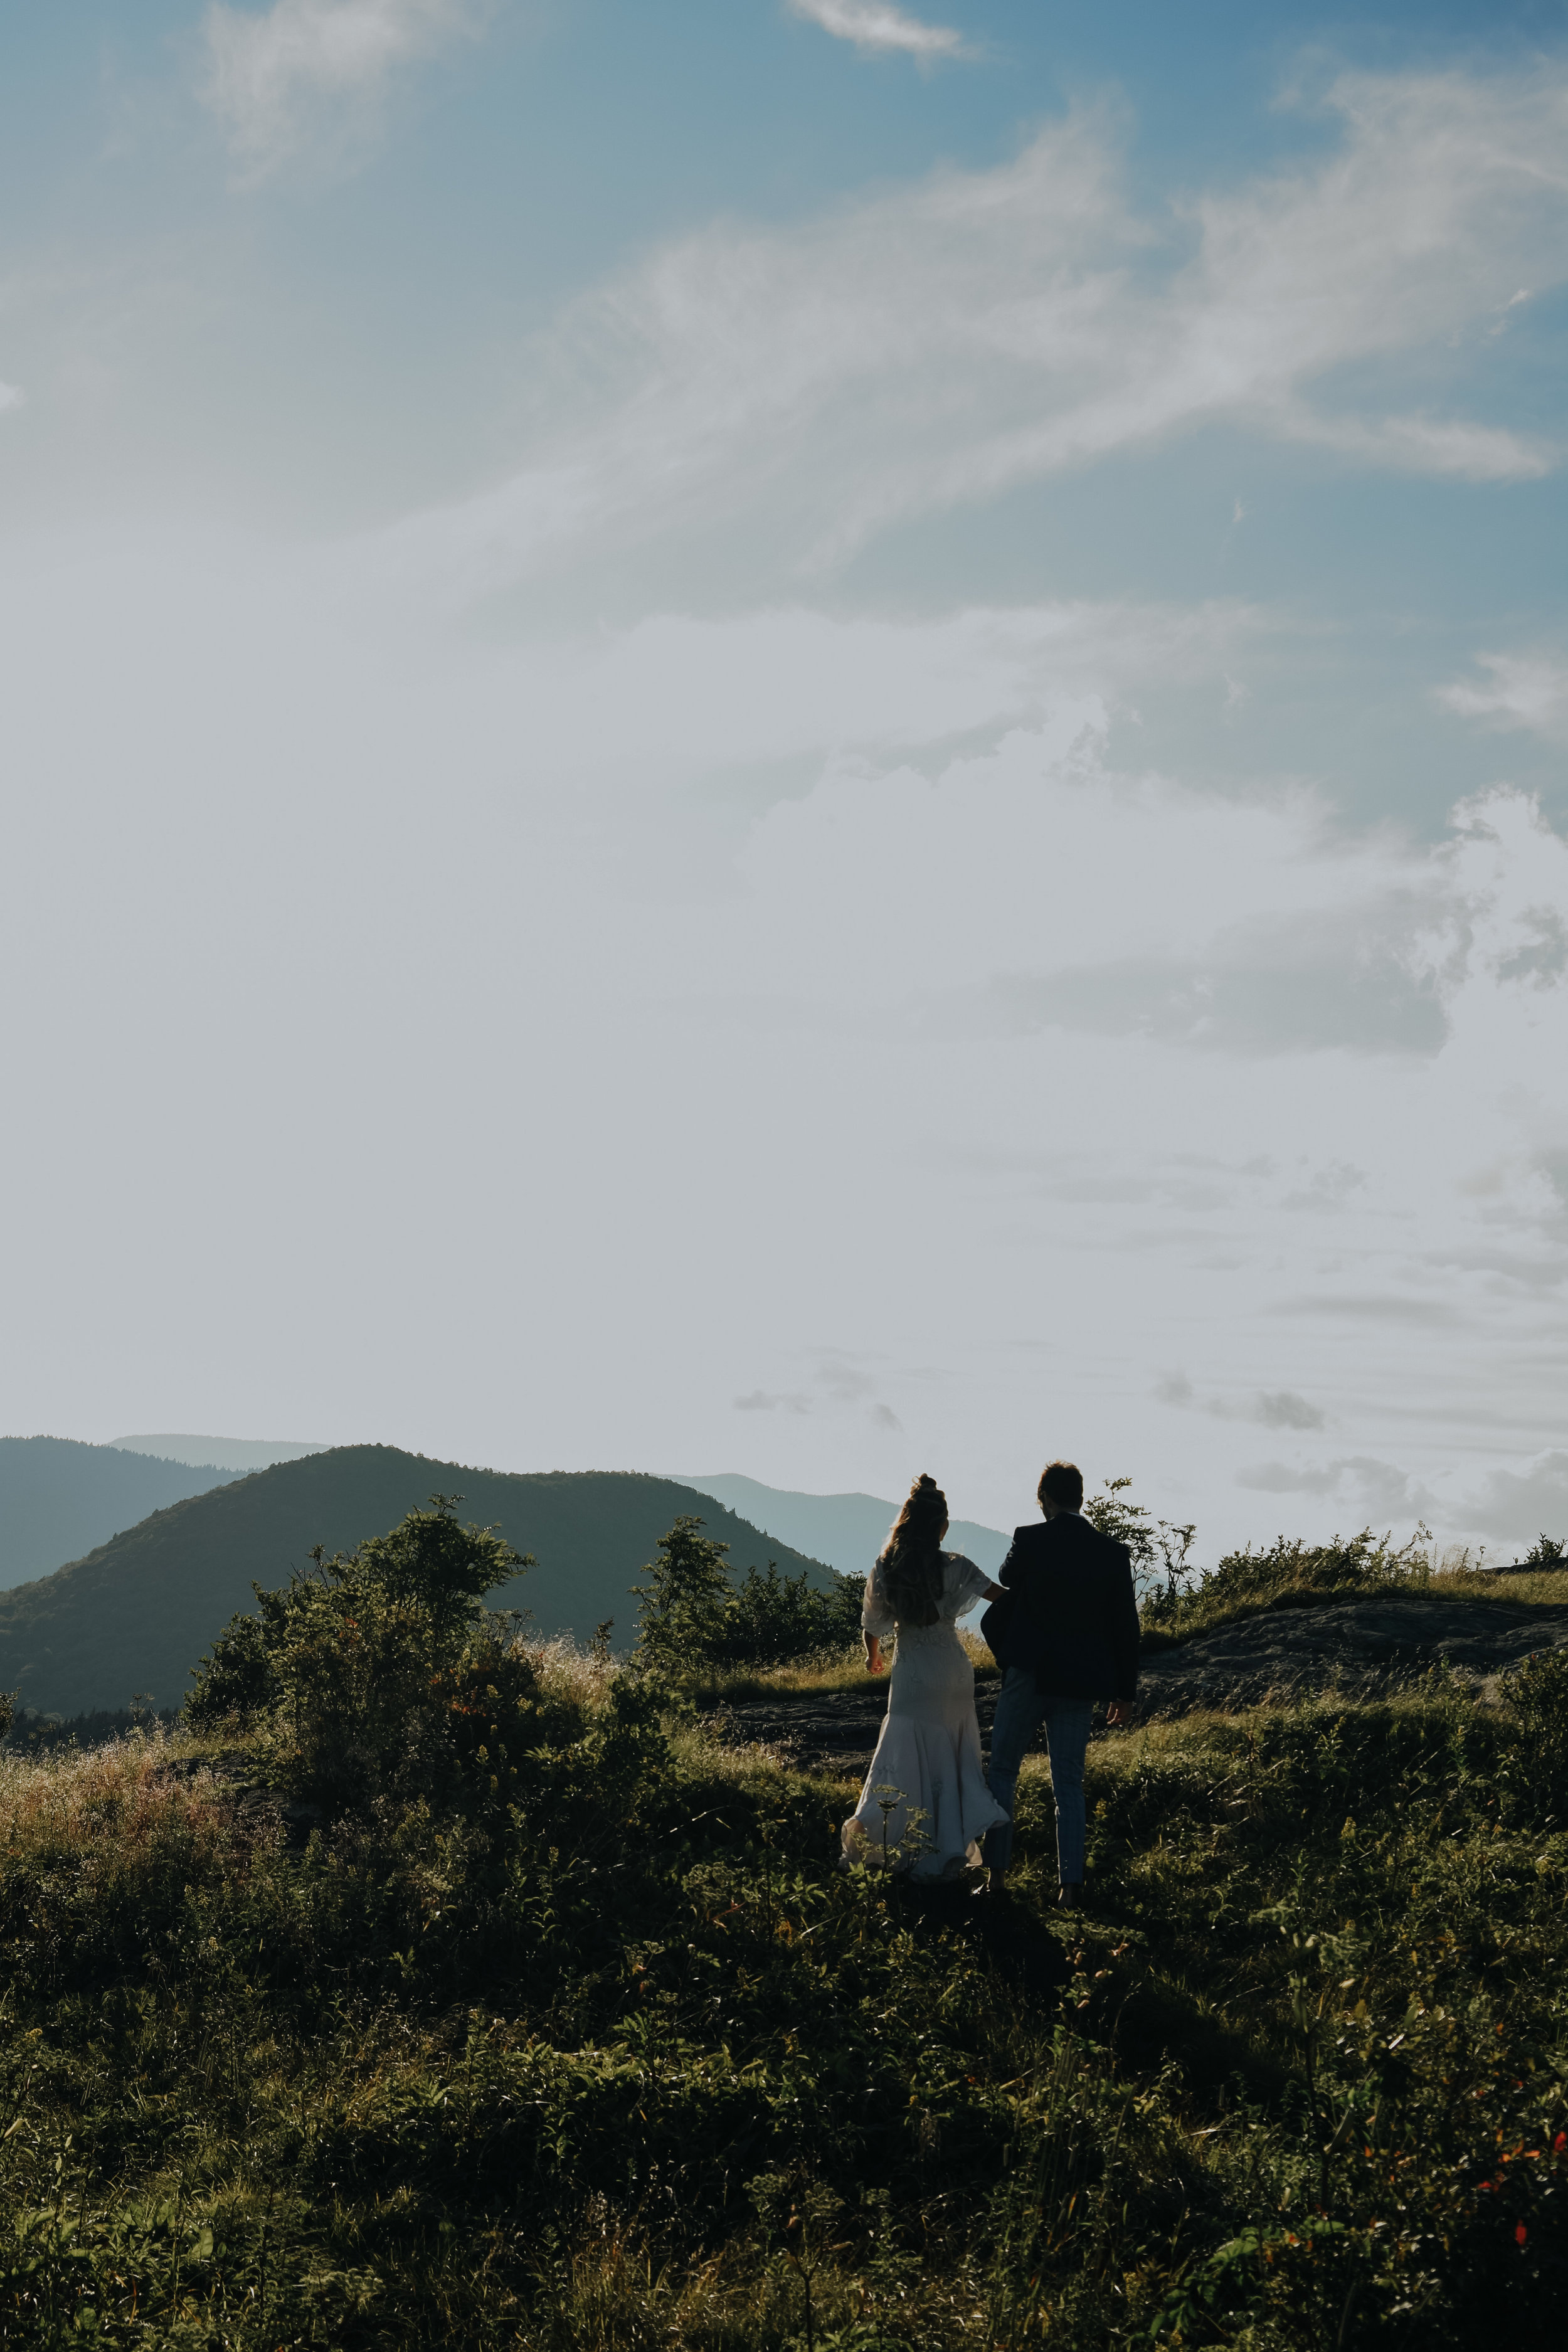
x=60, y=1497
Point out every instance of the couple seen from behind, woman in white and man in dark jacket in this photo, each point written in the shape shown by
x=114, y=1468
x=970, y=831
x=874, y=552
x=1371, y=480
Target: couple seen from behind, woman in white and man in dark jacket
x=1064, y=1629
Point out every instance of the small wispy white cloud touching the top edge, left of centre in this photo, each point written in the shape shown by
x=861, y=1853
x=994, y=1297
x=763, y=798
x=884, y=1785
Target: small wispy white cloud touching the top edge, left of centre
x=316, y=69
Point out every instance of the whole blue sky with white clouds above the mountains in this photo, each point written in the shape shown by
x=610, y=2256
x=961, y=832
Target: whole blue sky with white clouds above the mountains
x=796, y=737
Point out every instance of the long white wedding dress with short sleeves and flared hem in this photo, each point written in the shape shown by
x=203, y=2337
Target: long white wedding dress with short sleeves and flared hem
x=930, y=1749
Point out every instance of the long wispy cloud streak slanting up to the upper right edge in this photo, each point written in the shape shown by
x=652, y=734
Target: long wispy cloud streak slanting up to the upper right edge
x=782, y=396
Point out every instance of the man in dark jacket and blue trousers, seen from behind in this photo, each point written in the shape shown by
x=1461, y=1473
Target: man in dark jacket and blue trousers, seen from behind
x=1064, y=1638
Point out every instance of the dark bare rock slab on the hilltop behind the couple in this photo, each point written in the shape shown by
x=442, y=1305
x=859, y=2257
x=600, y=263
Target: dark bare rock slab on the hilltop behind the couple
x=1362, y=1650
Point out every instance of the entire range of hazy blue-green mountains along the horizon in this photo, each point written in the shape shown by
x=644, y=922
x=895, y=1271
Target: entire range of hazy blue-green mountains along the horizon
x=135, y=1612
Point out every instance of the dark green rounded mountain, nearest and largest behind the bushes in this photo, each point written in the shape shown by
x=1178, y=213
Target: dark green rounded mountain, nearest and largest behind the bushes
x=140, y=1612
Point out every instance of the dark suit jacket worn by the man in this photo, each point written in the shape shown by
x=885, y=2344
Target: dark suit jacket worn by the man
x=1076, y=1612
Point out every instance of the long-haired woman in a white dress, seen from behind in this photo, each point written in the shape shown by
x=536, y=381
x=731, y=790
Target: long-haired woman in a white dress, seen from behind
x=930, y=1753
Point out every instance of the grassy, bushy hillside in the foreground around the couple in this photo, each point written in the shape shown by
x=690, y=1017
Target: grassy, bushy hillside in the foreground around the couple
x=469, y=1993
